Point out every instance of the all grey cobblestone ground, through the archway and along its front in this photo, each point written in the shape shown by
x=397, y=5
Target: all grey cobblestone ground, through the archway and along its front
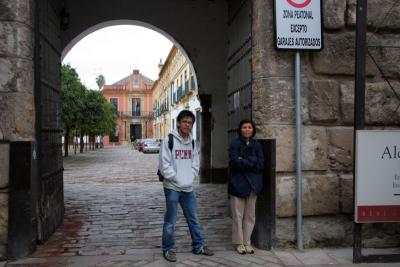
x=114, y=212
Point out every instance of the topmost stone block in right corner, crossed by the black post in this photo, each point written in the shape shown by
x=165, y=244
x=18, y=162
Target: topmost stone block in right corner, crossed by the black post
x=382, y=14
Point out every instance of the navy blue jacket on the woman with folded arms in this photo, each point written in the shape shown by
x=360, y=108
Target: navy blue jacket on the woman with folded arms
x=246, y=165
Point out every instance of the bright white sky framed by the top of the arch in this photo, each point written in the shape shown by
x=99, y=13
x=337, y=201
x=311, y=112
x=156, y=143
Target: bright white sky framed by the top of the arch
x=116, y=51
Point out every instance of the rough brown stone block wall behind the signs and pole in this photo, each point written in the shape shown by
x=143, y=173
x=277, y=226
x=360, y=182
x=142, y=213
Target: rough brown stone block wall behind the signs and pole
x=327, y=114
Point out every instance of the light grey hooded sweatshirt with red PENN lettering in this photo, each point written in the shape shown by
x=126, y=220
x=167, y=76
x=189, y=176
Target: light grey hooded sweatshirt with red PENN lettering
x=179, y=166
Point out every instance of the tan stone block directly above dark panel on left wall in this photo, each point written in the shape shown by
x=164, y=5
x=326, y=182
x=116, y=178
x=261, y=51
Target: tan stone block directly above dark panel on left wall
x=17, y=116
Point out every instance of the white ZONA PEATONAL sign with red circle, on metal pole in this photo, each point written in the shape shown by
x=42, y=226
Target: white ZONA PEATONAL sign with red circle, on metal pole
x=298, y=24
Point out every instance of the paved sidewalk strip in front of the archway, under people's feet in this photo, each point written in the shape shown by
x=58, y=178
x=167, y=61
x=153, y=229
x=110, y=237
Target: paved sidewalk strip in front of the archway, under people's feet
x=153, y=257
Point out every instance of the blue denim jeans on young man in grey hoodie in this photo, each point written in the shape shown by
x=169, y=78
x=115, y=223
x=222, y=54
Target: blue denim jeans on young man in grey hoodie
x=187, y=200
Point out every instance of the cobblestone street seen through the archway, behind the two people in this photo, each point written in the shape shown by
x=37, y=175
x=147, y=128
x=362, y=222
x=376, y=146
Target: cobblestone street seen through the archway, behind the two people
x=115, y=203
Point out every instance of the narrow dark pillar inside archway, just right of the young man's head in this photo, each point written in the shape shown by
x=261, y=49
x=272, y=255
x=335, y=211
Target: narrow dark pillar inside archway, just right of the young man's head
x=205, y=140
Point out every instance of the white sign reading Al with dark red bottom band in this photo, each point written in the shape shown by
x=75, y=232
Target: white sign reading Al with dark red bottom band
x=377, y=192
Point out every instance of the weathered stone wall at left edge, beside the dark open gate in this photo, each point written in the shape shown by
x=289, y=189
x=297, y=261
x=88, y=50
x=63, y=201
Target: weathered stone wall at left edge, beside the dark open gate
x=16, y=91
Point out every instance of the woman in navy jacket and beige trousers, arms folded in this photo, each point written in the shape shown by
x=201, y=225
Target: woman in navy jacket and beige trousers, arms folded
x=246, y=164
